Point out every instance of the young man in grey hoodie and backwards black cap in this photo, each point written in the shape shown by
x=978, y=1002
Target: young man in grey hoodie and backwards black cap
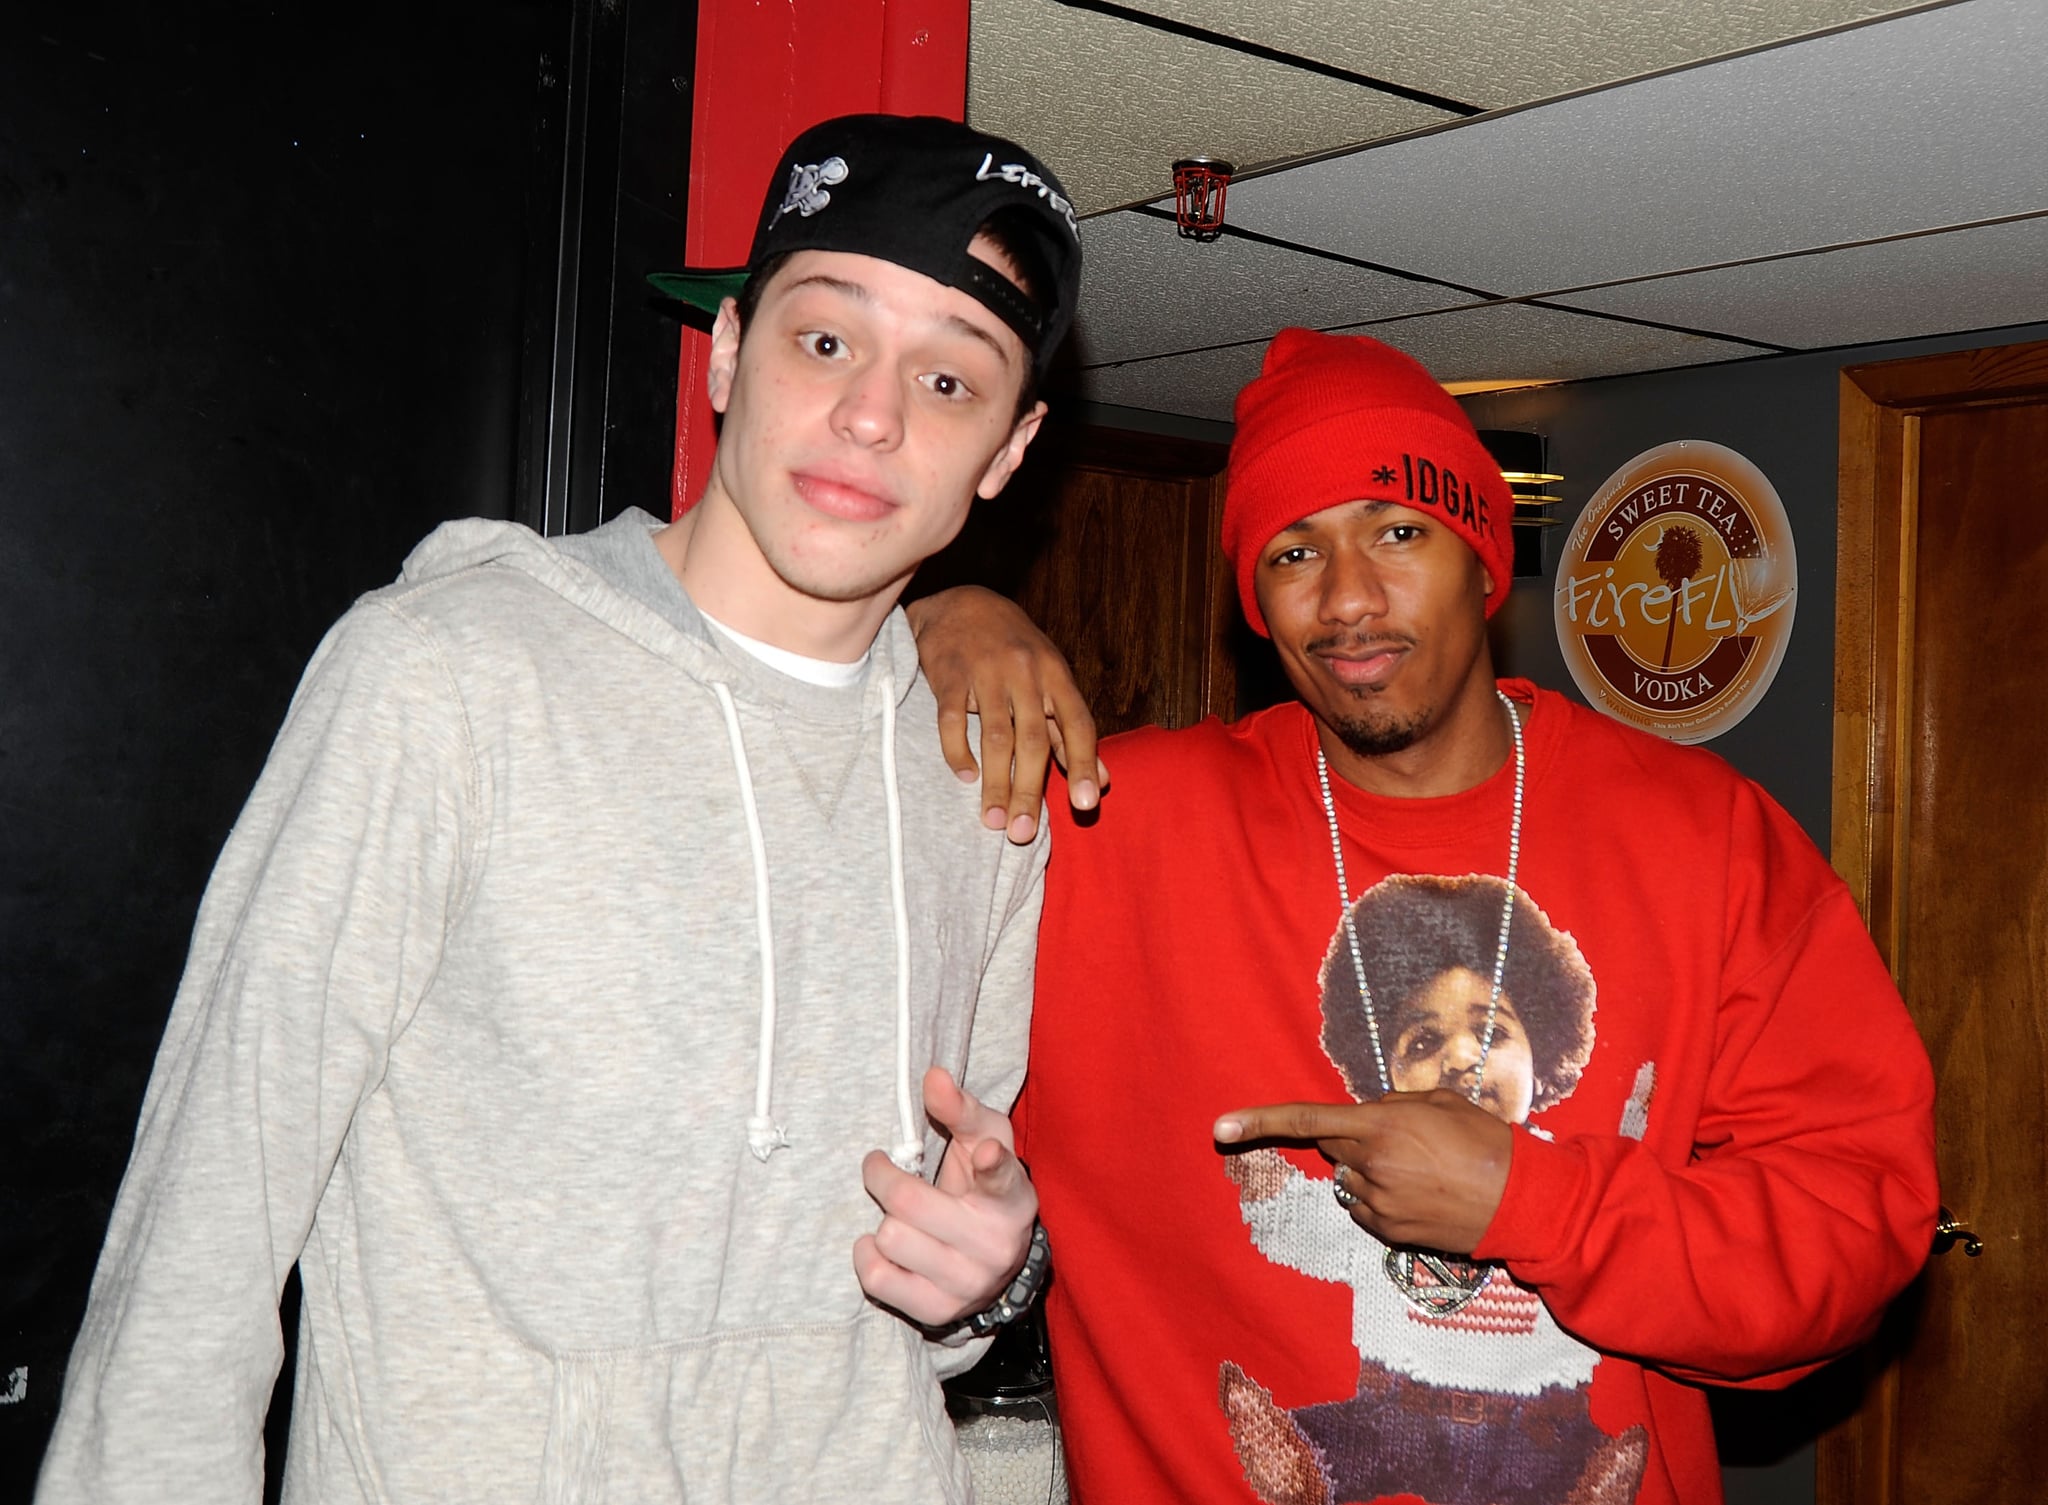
x=603, y=914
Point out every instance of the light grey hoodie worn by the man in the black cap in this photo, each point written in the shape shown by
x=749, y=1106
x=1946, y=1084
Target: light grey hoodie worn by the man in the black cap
x=474, y=1029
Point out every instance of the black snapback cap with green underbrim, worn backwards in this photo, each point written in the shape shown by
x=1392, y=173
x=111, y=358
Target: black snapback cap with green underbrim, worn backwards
x=912, y=189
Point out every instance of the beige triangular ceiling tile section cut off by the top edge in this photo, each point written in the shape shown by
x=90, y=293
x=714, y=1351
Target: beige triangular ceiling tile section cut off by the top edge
x=1514, y=52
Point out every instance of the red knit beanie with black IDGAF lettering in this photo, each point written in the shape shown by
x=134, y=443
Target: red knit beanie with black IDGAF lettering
x=1345, y=419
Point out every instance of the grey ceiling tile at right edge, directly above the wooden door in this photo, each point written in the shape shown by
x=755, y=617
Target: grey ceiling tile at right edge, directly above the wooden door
x=1967, y=279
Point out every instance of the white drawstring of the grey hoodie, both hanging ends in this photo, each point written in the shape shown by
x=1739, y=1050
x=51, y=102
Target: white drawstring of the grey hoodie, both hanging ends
x=765, y=1135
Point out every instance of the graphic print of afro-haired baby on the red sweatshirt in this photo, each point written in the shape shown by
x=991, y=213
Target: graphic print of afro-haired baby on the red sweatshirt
x=1467, y=1389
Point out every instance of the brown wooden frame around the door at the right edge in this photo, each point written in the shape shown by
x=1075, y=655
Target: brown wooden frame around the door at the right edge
x=1877, y=529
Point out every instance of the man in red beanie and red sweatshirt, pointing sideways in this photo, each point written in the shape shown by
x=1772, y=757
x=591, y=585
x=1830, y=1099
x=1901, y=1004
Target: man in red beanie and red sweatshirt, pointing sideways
x=1437, y=1084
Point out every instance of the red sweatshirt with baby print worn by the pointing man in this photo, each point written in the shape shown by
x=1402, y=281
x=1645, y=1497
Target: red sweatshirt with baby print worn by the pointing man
x=1725, y=1174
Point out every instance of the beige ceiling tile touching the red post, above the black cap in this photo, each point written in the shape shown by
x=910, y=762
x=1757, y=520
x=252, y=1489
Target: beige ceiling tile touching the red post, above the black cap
x=1109, y=103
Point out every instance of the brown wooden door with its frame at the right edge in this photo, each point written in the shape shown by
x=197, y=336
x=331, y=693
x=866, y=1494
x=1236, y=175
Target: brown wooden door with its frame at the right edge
x=1943, y=830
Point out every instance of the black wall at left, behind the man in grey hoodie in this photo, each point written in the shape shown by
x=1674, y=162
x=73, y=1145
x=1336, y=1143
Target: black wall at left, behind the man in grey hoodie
x=278, y=294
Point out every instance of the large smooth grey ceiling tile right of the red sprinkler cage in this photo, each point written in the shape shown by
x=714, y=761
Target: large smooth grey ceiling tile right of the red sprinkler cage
x=1912, y=124
